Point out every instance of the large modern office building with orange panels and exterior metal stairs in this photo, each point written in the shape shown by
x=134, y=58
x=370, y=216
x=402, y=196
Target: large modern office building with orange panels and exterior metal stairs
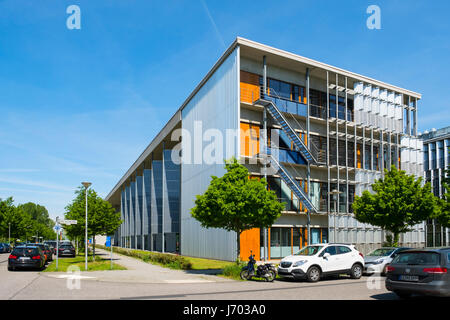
x=313, y=130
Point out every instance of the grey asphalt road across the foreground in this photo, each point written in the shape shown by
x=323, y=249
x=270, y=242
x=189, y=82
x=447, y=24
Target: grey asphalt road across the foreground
x=33, y=285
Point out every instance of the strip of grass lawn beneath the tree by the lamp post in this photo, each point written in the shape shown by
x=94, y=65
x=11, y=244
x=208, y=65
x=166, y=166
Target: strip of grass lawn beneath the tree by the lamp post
x=98, y=265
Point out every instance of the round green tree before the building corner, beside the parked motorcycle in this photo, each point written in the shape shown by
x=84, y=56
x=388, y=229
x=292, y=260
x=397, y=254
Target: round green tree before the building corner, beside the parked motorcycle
x=236, y=203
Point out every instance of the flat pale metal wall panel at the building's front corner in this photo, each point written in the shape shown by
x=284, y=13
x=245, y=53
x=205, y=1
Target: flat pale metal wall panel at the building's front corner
x=216, y=106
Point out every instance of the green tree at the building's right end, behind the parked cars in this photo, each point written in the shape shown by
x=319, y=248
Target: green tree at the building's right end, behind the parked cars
x=399, y=202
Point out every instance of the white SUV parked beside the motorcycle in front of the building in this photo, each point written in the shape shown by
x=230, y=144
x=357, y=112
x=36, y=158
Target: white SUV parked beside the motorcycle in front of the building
x=317, y=260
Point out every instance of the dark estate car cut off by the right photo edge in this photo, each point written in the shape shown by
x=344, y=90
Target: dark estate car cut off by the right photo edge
x=420, y=271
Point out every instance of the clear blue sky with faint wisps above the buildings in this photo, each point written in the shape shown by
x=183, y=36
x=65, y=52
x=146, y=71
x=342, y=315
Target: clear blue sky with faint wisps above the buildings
x=83, y=104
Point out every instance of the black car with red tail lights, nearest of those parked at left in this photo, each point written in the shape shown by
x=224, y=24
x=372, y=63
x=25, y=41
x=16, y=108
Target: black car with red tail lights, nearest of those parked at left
x=26, y=257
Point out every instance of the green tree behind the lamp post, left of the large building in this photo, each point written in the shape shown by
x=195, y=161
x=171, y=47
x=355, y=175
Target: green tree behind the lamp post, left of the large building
x=102, y=217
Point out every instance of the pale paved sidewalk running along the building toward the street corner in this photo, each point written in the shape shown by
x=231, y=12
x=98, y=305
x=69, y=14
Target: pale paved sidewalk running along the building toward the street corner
x=141, y=272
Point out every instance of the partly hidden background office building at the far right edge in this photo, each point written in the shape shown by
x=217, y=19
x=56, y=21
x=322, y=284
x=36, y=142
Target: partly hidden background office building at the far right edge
x=436, y=153
